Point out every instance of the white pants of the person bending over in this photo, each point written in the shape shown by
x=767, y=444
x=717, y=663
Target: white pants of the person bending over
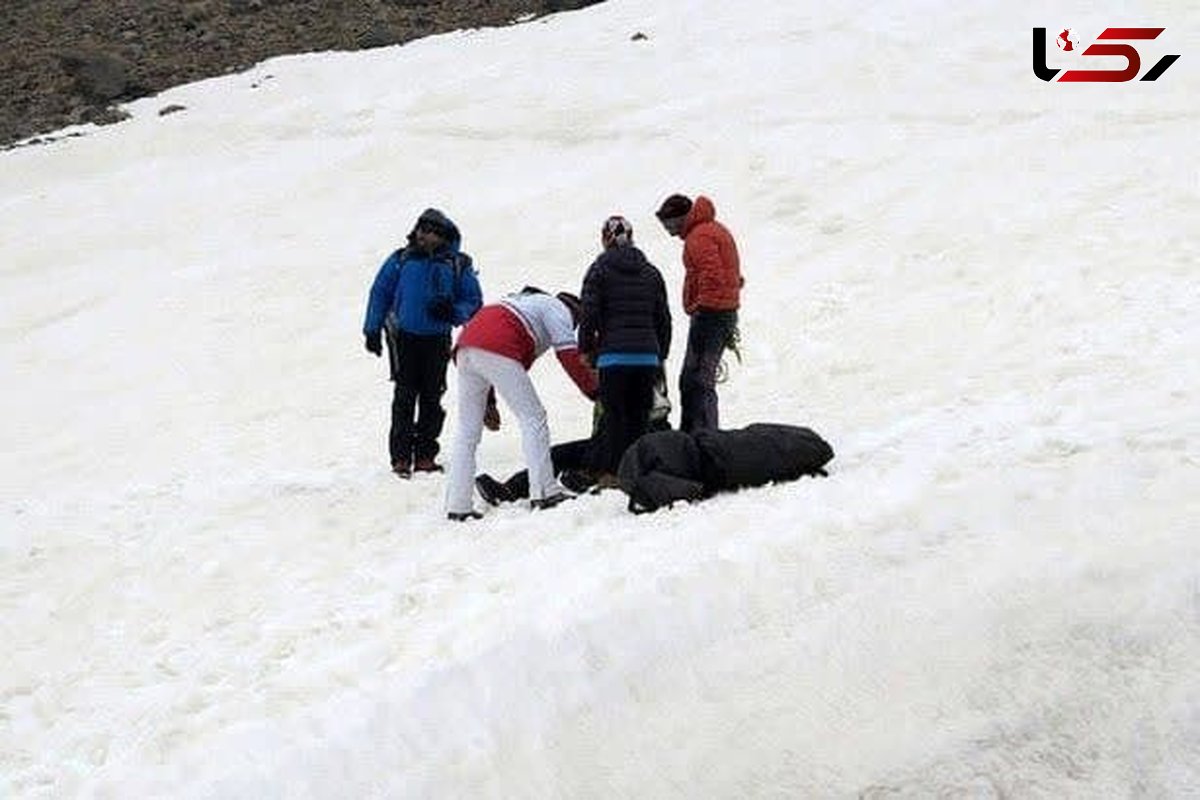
x=478, y=372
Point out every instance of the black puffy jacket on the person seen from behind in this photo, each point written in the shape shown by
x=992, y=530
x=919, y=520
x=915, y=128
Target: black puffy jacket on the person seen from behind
x=625, y=306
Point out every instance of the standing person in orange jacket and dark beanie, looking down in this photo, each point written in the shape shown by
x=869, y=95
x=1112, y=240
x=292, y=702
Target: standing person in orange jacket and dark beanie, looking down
x=712, y=296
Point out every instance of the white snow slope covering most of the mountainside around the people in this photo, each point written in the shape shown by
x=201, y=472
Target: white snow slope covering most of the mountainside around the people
x=982, y=290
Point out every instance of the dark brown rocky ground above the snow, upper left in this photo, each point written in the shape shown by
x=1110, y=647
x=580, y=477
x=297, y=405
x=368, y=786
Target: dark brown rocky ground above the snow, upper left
x=70, y=62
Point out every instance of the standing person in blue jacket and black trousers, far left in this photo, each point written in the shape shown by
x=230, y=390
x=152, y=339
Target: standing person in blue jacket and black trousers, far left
x=421, y=293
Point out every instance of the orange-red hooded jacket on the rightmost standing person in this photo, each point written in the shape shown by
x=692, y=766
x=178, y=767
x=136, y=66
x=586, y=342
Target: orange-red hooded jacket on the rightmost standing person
x=712, y=272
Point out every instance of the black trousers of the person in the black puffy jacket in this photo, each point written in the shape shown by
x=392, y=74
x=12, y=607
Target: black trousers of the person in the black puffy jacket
x=627, y=394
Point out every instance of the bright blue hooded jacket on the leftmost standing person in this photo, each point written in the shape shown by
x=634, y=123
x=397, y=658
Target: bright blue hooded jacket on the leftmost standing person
x=410, y=282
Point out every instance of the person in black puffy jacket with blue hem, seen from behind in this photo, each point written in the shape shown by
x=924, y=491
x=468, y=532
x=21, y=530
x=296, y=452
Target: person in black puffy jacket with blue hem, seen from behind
x=626, y=333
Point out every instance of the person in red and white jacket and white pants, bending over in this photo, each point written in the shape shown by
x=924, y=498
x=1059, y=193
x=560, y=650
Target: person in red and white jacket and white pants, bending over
x=494, y=356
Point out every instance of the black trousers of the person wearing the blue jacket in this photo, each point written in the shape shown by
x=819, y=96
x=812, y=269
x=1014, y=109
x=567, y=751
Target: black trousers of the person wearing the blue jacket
x=419, y=371
